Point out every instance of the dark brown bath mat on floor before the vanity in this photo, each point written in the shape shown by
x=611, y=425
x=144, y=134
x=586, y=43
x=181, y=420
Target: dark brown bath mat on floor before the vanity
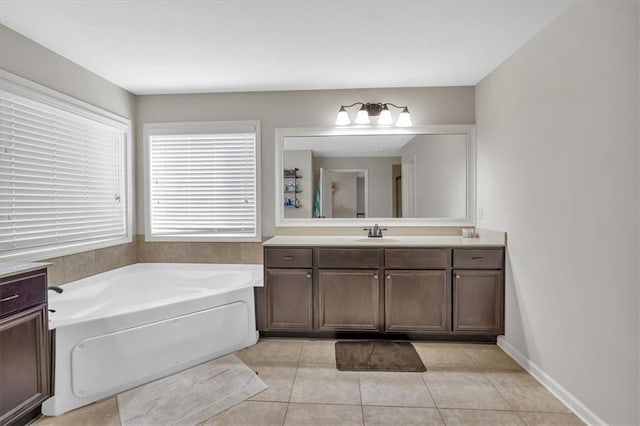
x=377, y=356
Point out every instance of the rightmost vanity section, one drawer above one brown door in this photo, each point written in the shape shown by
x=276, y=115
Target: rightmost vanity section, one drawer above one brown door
x=478, y=291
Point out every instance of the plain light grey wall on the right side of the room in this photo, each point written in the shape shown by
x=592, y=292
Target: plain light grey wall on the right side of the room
x=558, y=169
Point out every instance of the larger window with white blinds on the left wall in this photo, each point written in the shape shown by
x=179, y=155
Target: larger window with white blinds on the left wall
x=63, y=174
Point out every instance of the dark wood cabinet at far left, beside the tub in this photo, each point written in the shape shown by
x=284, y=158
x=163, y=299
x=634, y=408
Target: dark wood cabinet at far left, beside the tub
x=24, y=346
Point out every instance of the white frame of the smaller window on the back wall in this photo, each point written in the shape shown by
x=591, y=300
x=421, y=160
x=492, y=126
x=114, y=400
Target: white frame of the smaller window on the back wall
x=199, y=127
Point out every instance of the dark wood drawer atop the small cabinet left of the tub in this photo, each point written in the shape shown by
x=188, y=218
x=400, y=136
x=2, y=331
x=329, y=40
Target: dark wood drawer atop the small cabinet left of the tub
x=22, y=291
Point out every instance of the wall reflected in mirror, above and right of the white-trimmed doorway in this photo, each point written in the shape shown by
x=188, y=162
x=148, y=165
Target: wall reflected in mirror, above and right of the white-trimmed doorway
x=379, y=176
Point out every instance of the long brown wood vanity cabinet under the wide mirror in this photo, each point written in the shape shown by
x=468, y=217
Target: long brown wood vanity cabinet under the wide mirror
x=446, y=293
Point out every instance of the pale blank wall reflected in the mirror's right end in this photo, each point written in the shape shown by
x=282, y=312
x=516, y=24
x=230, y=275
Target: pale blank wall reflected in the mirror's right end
x=440, y=174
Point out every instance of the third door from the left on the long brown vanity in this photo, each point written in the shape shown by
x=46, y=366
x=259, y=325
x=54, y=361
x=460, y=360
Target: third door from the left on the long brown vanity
x=417, y=301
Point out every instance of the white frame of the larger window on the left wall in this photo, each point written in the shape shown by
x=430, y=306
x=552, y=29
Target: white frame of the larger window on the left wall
x=73, y=105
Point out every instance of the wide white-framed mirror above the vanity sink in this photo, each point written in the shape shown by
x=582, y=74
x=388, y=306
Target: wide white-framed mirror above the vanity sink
x=417, y=176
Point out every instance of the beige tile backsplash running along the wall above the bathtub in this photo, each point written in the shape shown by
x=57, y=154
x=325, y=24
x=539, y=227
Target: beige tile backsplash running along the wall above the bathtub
x=74, y=267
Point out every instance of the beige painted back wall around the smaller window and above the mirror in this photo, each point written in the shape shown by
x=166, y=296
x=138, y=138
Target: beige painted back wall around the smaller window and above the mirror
x=445, y=105
